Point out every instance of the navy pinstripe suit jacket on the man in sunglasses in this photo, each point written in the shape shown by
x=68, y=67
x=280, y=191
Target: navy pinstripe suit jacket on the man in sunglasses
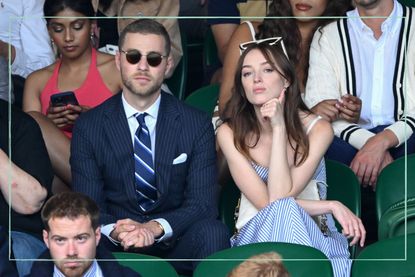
x=103, y=165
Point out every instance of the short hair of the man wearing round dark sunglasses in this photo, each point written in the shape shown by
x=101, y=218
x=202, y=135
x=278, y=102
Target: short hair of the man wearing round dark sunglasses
x=146, y=27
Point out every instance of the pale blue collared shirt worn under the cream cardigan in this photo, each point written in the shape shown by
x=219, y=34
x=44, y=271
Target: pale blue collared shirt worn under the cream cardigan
x=374, y=63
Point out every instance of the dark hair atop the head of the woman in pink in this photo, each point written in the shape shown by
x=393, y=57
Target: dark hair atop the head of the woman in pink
x=53, y=7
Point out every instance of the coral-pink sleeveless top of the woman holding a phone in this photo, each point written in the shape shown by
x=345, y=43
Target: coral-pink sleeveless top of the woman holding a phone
x=91, y=93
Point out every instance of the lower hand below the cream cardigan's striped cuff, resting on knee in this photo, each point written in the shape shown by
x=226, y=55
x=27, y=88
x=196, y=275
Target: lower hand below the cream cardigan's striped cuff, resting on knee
x=372, y=158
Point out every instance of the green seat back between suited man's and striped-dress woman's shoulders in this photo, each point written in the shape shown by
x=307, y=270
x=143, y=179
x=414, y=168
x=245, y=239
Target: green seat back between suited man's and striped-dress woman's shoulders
x=204, y=98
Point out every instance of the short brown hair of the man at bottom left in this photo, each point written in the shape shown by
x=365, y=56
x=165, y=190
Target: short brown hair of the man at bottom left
x=71, y=205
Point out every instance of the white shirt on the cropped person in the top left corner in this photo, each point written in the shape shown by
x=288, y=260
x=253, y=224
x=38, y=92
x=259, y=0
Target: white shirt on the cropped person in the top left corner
x=23, y=26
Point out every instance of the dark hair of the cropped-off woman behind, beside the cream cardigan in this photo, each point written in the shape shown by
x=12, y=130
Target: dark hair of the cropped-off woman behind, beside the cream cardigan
x=286, y=26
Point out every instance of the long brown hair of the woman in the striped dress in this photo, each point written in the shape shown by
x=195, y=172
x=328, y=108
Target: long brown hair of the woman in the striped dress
x=240, y=115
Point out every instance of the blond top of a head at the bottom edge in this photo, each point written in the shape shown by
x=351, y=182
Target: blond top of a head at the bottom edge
x=262, y=265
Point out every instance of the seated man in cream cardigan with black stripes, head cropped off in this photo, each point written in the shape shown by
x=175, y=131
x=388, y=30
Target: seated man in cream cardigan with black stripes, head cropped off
x=371, y=59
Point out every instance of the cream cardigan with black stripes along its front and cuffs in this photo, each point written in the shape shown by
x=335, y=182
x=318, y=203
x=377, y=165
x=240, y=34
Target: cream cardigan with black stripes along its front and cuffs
x=332, y=74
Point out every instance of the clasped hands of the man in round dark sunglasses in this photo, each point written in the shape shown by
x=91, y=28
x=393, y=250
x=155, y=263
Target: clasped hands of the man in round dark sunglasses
x=132, y=234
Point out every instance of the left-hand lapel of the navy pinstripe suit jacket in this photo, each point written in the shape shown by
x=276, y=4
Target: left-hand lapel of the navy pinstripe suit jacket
x=119, y=138
